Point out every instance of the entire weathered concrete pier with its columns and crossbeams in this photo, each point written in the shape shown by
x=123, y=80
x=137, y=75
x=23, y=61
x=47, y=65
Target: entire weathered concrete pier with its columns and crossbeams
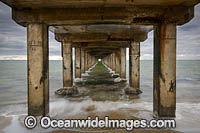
x=102, y=29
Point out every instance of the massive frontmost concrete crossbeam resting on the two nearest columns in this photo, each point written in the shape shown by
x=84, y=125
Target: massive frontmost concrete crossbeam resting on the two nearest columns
x=122, y=14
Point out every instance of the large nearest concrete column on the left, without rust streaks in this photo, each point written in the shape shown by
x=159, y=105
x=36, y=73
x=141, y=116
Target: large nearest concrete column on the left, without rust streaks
x=38, y=69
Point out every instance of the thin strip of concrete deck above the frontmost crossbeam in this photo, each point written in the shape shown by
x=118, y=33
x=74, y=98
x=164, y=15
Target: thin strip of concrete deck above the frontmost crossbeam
x=97, y=3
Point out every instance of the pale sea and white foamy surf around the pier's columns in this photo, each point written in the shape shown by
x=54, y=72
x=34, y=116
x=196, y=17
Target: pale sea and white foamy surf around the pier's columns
x=13, y=94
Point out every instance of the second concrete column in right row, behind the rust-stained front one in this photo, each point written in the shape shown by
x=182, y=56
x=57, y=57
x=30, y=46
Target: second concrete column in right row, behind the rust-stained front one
x=134, y=65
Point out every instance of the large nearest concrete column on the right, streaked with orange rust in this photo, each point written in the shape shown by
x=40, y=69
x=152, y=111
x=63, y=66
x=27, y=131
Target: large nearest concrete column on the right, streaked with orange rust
x=164, y=82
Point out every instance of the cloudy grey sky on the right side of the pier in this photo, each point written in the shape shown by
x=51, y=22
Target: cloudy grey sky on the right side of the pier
x=188, y=40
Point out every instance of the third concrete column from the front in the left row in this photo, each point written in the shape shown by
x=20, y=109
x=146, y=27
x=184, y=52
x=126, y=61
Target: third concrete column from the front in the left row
x=77, y=62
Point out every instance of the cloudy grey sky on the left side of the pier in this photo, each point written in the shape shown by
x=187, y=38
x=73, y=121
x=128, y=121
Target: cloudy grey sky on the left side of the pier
x=13, y=38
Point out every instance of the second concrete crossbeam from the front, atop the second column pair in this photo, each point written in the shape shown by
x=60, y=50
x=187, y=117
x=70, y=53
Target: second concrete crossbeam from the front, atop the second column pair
x=102, y=32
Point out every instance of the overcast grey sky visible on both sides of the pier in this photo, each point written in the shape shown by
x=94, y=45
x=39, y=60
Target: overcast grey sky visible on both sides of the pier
x=13, y=39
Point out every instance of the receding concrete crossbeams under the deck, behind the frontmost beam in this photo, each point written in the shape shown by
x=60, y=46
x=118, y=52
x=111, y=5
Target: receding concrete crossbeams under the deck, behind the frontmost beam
x=101, y=40
